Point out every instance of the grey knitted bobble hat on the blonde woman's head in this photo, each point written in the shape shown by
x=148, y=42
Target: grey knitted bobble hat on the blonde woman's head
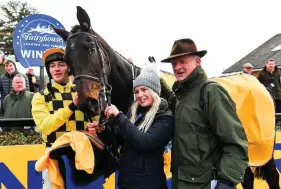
x=149, y=77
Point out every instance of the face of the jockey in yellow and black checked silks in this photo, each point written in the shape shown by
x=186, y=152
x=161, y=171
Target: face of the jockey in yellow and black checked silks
x=59, y=71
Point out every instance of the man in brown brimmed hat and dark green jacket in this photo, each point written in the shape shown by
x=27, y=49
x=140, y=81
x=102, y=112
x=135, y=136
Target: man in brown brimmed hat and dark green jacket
x=208, y=144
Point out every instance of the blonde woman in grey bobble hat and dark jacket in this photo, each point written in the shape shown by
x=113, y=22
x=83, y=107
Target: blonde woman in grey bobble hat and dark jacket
x=146, y=131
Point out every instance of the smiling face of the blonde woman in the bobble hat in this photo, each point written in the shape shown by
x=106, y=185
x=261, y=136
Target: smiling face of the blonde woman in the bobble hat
x=143, y=96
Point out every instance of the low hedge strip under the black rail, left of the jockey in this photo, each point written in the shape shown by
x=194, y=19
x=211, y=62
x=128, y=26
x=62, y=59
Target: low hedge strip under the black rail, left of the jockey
x=8, y=138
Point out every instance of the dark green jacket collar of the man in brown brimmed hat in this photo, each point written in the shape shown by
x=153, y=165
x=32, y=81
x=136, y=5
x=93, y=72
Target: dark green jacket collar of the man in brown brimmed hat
x=196, y=77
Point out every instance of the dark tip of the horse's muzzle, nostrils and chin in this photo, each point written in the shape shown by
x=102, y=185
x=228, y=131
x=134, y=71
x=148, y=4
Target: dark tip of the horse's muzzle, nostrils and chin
x=89, y=107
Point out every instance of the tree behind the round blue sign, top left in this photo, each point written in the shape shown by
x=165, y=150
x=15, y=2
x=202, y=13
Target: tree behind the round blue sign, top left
x=10, y=14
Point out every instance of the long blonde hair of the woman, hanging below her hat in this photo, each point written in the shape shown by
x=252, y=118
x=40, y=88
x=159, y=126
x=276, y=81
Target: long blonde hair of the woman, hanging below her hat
x=150, y=115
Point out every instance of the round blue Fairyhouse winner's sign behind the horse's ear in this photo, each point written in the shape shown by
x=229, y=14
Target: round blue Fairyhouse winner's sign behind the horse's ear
x=32, y=36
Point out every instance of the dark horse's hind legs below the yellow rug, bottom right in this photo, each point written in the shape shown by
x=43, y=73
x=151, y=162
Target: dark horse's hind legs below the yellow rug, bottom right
x=270, y=173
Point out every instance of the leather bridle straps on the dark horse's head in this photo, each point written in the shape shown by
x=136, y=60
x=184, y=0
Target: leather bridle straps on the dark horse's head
x=105, y=91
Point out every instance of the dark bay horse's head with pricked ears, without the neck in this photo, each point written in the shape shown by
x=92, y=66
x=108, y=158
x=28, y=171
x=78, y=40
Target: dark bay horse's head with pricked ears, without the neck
x=89, y=62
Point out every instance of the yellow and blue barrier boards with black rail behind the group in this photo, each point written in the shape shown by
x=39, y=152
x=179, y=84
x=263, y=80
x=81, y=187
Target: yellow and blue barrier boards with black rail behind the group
x=17, y=162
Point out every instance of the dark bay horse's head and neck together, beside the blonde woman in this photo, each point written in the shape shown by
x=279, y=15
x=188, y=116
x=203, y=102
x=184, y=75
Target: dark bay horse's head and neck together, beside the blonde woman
x=98, y=68
